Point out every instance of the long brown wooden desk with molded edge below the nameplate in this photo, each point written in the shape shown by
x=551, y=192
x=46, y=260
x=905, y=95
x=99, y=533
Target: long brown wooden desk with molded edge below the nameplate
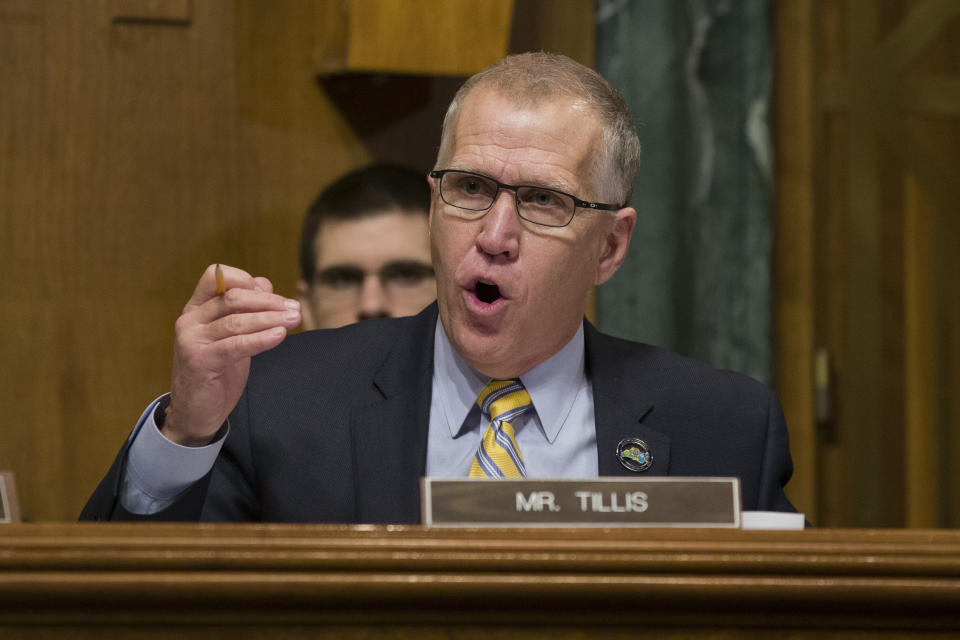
x=298, y=581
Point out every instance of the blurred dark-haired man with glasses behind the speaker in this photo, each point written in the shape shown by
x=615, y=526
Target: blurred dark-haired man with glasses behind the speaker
x=365, y=249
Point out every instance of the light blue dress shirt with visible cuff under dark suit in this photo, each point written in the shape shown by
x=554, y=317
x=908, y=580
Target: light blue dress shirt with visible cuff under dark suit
x=557, y=440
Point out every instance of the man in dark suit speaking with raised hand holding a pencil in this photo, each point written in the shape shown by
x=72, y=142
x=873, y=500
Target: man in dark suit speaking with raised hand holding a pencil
x=528, y=212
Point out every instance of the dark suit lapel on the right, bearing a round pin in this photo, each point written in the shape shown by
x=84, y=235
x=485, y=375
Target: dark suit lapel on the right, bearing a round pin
x=622, y=400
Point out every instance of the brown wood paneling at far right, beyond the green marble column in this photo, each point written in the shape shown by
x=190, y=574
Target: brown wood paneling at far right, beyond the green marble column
x=884, y=237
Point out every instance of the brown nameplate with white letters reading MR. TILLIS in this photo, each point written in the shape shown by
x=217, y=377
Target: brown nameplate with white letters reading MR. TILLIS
x=601, y=502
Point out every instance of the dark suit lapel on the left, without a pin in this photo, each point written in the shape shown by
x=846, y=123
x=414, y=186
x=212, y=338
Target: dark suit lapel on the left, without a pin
x=390, y=436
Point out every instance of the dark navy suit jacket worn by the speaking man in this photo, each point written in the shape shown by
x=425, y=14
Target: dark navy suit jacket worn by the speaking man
x=332, y=427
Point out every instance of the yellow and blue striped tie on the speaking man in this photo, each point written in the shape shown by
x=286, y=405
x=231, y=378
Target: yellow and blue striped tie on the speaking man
x=498, y=455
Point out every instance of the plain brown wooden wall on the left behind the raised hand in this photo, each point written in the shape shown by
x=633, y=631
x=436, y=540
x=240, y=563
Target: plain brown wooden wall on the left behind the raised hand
x=135, y=153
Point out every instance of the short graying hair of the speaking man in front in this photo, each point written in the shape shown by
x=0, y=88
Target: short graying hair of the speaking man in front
x=531, y=78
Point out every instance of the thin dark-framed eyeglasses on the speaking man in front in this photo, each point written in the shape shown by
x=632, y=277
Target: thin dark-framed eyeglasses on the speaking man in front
x=474, y=192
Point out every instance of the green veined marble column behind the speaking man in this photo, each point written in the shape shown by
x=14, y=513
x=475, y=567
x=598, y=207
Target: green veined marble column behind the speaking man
x=697, y=75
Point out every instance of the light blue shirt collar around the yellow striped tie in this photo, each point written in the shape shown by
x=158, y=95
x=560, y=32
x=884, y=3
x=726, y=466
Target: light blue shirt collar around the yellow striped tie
x=553, y=384
